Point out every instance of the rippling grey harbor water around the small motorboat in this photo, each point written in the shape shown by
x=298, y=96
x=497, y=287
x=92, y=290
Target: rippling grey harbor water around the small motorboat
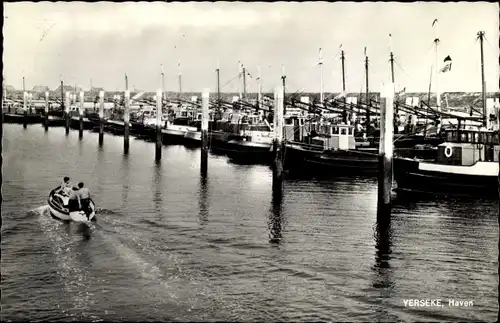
x=171, y=245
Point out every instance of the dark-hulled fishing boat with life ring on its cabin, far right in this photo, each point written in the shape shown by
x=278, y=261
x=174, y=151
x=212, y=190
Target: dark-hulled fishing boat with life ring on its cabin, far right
x=467, y=164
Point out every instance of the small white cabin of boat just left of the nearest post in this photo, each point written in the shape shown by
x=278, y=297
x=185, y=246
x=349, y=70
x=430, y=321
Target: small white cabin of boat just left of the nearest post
x=335, y=137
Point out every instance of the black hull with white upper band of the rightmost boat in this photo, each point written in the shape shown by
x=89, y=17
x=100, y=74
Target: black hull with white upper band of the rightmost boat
x=412, y=176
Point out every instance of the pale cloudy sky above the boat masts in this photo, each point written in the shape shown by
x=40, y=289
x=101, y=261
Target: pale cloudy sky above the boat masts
x=100, y=42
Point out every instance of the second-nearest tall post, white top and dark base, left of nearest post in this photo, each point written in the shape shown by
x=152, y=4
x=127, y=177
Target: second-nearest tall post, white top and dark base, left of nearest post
x=278, y=139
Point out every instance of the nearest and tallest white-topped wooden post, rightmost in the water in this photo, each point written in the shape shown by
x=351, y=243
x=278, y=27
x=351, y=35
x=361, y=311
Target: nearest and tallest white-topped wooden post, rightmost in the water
x=386, y=147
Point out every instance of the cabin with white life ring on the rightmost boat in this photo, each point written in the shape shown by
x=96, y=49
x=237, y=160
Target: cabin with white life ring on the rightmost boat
x=465, y=147
